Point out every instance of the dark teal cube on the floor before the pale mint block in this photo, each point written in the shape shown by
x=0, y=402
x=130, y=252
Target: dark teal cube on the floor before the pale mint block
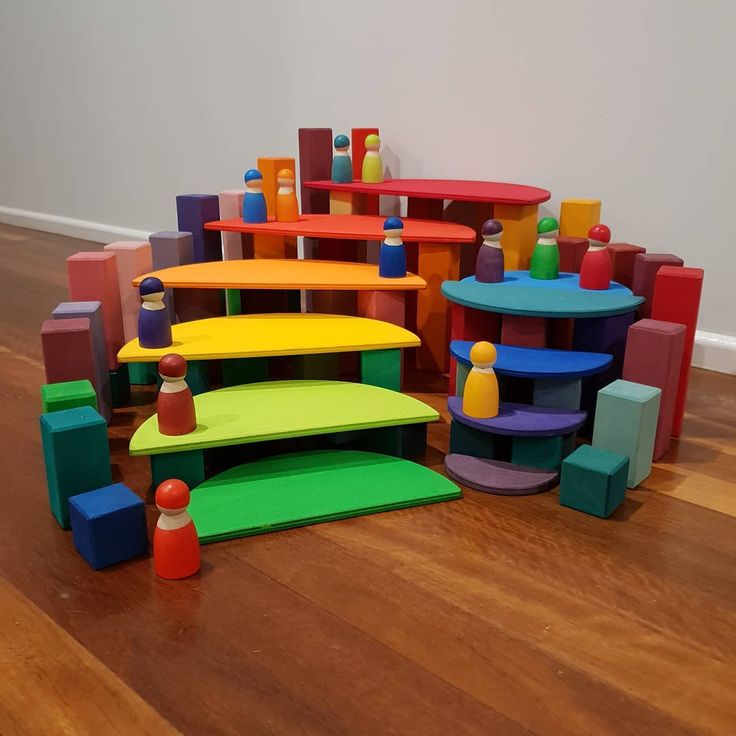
x=593, y=481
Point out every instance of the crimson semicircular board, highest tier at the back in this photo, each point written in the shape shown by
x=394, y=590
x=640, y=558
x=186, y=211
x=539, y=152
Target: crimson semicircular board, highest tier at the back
x=457, y=189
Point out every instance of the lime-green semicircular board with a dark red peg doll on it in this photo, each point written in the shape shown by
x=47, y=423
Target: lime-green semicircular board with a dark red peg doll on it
x=256, y=412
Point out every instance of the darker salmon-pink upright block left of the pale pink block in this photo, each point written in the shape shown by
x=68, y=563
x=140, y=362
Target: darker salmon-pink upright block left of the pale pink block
x=94, y=277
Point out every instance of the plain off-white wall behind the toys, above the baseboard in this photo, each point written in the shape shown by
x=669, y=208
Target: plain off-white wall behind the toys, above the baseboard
x=110, y=109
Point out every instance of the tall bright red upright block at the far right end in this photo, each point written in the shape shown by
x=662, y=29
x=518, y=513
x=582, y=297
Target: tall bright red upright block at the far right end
x=677, y=299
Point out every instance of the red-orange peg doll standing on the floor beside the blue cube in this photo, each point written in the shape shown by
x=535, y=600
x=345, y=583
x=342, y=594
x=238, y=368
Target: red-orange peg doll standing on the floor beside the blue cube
x=175, y=542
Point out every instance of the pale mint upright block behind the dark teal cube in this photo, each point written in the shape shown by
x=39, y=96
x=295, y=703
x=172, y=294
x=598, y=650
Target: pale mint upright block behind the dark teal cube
x=626, y=423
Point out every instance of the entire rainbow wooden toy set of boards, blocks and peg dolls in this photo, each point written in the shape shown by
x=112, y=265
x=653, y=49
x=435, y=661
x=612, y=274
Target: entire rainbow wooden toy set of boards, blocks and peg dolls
x=535, y=320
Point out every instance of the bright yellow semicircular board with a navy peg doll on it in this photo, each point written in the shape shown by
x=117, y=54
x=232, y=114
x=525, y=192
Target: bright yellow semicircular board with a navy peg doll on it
x=263, y=335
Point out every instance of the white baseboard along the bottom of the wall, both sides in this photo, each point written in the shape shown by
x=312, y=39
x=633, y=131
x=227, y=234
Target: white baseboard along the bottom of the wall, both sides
x=713, y=351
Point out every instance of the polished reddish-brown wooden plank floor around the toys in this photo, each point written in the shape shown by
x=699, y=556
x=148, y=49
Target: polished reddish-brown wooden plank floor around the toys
x=487, y=615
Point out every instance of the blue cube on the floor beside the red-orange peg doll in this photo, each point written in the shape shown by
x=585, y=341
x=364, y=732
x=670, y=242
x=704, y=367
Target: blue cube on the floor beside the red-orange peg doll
x=109, y=525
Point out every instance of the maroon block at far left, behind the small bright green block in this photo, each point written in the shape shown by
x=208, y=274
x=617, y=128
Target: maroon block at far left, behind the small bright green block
x=68, y=353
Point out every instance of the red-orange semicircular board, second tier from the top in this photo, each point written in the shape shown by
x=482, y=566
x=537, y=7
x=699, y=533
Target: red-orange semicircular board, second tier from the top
x=351, y=227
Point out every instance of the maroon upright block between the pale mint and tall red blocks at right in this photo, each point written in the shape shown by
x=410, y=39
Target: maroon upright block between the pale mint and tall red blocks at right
x=653, y=357
